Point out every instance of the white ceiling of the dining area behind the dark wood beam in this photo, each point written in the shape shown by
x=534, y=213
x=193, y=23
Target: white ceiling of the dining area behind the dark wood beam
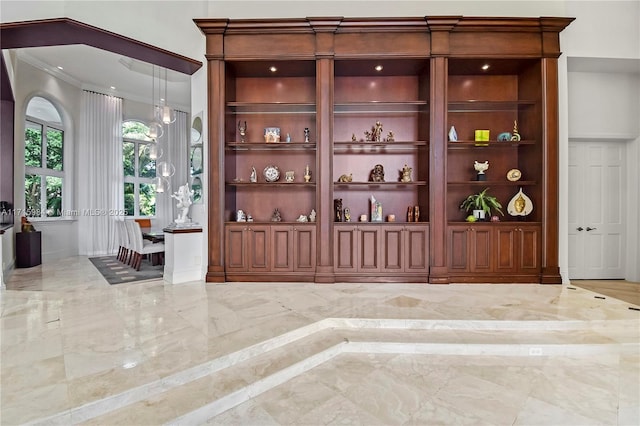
x=99, y=70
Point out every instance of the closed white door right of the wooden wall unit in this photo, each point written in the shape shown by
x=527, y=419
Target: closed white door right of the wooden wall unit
x=596, y=210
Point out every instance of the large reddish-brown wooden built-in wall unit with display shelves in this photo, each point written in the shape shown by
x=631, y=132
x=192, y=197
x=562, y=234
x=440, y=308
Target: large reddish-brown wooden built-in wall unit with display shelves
x=324, y=82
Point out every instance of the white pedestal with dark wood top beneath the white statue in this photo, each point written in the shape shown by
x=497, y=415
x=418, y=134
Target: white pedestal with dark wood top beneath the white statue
x=182, y=254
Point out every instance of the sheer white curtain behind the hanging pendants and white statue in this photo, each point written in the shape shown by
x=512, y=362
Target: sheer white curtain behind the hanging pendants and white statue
x=175, y=145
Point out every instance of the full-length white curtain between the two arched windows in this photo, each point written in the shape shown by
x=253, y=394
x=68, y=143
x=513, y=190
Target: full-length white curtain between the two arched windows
x=100, y=183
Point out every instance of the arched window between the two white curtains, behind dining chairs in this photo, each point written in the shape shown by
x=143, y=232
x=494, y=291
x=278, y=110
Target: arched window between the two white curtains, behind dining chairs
x=139, y=166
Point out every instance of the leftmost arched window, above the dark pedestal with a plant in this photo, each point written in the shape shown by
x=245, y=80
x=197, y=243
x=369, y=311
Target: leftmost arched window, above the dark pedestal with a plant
x=44, y=160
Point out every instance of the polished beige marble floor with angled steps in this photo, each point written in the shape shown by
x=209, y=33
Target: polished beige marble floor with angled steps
x=76, y=350
